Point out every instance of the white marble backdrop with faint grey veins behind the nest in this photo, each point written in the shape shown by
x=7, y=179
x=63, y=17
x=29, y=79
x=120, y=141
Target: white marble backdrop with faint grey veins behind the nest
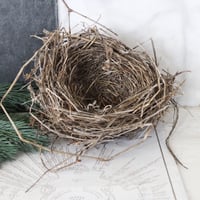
x=174, y=26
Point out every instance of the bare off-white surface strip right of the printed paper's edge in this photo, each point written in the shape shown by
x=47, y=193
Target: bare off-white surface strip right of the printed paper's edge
x=186, y=144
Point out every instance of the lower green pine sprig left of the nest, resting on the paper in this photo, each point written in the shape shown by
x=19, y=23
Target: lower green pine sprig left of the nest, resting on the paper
x=10, y=144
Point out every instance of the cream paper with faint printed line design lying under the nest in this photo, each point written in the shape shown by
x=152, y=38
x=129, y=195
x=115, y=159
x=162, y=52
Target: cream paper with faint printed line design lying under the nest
x=139, y=174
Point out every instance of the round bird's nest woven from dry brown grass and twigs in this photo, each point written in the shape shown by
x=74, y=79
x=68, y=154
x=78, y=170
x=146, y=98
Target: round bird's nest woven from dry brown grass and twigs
x=92, y=88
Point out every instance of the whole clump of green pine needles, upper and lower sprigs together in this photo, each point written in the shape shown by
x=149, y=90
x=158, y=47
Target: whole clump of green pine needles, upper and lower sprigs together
x=16, y=103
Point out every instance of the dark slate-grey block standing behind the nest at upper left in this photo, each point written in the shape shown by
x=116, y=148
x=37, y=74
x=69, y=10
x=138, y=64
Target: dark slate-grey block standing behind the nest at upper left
x=18, y=20
